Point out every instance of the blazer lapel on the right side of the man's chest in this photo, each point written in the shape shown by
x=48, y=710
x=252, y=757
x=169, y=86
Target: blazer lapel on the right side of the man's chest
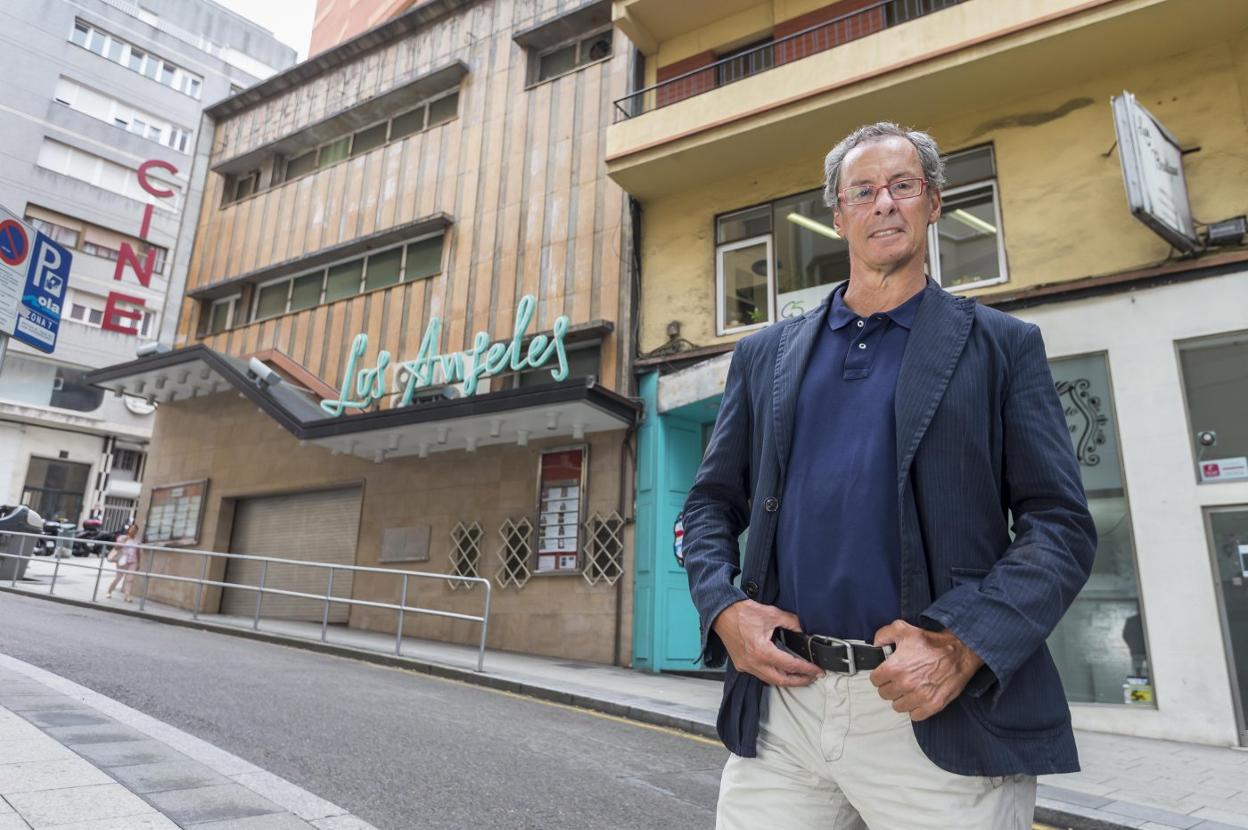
x=937, y=341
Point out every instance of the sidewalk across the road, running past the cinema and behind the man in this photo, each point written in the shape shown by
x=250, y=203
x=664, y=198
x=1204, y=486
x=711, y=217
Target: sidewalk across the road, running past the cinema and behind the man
x=1126, y=782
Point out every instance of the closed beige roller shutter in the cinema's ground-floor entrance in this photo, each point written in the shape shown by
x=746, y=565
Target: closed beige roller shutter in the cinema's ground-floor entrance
x=315, y=527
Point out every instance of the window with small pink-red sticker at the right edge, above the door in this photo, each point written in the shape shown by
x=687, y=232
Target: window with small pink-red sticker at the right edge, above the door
x=1216, y=388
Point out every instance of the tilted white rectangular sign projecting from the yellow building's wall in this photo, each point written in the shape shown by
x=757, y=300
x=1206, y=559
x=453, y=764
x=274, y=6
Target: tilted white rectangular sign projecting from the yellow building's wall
x=1153, y=169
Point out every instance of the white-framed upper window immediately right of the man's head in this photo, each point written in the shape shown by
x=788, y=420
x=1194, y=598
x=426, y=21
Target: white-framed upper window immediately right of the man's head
x=965, y=245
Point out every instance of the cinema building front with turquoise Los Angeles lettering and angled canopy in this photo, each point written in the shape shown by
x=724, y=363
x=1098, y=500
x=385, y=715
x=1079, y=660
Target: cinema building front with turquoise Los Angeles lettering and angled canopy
x=405, y=336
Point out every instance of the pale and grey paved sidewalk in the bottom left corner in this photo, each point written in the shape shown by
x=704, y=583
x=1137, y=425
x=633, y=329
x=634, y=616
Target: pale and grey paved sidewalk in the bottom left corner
x=76, y=761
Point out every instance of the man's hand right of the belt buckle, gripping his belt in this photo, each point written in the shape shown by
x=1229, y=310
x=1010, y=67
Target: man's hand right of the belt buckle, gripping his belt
x=927, y=672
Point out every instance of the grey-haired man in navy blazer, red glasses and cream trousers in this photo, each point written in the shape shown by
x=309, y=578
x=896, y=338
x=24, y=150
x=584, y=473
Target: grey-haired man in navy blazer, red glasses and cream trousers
x=888, y=663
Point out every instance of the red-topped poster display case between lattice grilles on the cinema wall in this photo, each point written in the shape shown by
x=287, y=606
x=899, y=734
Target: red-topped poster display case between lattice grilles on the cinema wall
x=560, y=500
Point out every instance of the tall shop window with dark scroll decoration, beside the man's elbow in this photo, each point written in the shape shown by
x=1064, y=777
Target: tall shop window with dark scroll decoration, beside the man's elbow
x=1100, y=646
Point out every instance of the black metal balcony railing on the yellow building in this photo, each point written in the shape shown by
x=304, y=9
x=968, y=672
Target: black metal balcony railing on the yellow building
x=816, y=39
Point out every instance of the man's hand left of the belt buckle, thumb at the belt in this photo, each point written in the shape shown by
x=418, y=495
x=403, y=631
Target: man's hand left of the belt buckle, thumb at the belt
x=747, y=628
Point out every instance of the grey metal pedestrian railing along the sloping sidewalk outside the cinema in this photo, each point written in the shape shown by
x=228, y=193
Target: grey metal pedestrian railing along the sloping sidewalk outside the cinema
x=260, y=588
